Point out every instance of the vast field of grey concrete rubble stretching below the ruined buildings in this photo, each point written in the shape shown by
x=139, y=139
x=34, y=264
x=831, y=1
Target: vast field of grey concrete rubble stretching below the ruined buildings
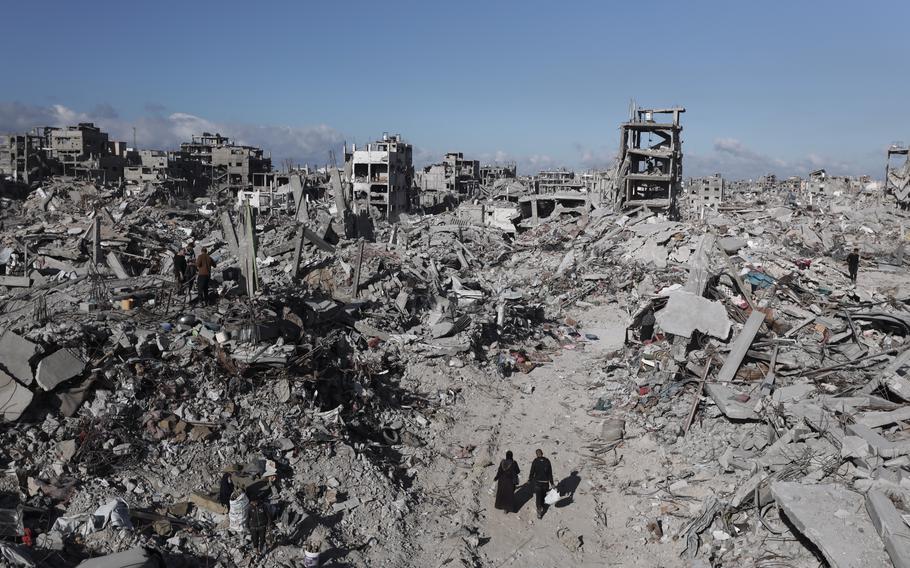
x=366, y=388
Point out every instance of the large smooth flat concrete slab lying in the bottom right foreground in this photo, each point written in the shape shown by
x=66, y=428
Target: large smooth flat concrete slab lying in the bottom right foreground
x=835, y=520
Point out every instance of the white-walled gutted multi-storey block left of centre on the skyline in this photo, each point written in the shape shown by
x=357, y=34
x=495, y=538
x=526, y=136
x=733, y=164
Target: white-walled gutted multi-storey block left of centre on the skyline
x=382, y=175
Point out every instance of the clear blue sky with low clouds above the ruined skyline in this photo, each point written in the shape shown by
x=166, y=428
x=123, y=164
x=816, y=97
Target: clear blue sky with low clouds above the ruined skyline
x=768, y=86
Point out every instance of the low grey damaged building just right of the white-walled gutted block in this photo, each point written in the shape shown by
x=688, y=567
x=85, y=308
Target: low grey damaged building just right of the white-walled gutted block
x=448, y=182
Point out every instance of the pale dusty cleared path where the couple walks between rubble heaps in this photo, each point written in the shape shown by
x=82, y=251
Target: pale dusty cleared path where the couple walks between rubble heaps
x=555, y=417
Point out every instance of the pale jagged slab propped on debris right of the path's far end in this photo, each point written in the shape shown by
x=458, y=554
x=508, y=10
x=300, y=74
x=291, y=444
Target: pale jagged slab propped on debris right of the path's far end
x=685, y=313
